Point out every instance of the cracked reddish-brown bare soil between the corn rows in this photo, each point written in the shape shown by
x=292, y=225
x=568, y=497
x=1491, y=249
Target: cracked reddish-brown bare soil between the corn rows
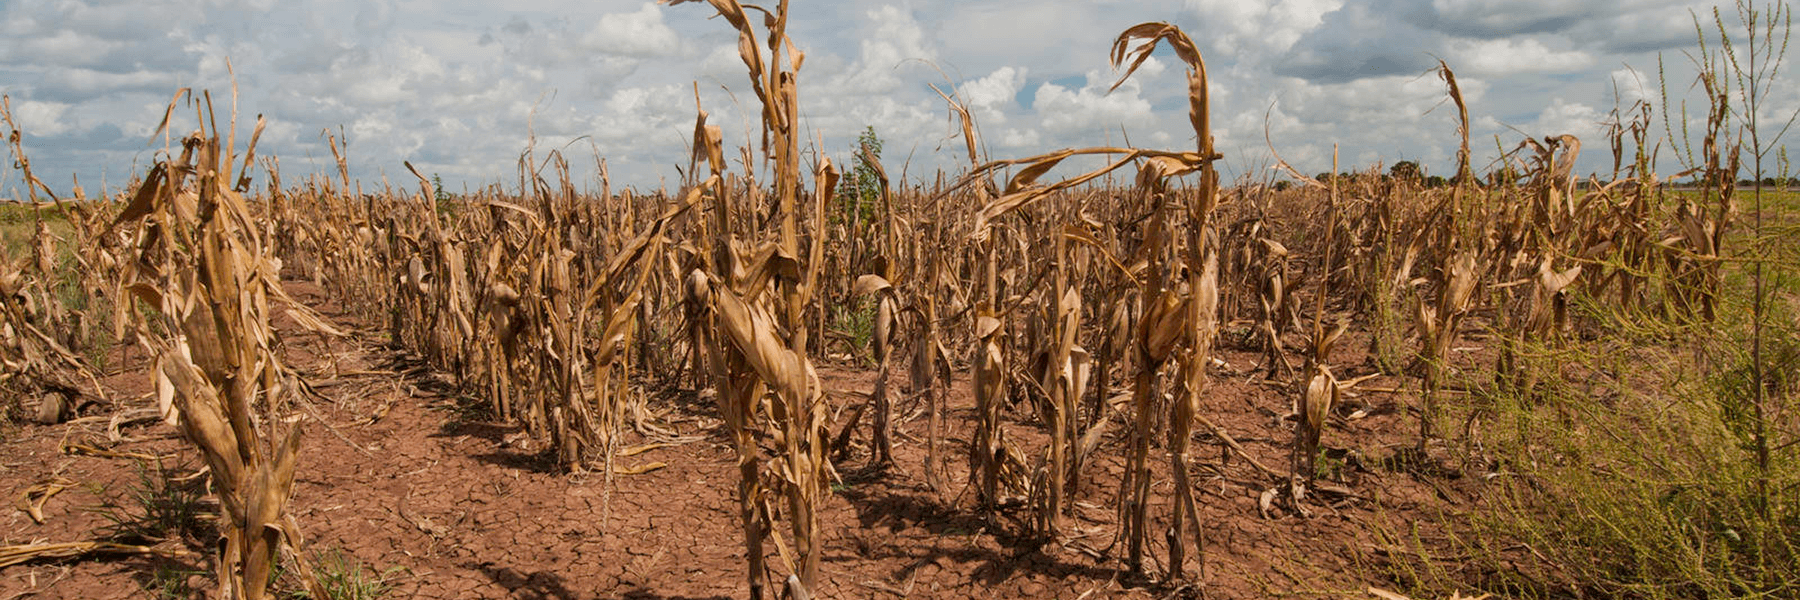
x=445, y=504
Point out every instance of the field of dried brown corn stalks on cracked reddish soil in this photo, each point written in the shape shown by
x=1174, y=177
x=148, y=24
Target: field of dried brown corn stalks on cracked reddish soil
x=1057, y=386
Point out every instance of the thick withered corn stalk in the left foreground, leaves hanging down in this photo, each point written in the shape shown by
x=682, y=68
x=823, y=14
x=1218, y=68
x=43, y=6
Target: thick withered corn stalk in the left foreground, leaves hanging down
x=204, y=266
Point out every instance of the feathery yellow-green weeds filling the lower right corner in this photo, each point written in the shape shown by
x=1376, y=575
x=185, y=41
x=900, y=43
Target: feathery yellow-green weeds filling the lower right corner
x=1630, y=468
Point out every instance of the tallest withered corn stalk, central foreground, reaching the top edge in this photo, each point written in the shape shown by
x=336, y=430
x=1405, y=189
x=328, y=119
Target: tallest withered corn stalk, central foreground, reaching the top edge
x=762, y=289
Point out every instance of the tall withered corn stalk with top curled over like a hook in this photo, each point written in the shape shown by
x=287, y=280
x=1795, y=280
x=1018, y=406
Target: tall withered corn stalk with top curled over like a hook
x=1169, y=320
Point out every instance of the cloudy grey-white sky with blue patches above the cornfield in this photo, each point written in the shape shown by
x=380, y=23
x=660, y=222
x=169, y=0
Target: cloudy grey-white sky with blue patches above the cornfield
x=460, y=89
